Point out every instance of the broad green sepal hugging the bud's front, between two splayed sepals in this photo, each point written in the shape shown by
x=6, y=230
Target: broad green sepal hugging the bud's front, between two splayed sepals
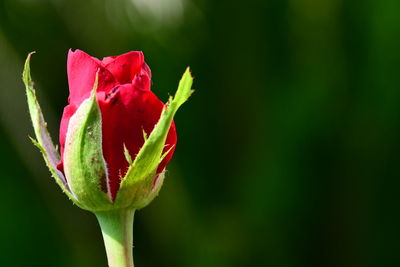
x=84, y=164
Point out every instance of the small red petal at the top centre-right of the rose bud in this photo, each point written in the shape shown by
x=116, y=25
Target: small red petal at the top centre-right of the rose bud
x=125, y=67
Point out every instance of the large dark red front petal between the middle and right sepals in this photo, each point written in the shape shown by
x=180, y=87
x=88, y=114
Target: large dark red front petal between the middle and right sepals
x=125, y=114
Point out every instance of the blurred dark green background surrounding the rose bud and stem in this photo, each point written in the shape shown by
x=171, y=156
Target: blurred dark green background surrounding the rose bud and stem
x=287, y=153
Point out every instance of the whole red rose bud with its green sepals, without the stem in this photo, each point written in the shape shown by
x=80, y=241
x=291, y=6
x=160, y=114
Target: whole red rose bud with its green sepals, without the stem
x=116, y=136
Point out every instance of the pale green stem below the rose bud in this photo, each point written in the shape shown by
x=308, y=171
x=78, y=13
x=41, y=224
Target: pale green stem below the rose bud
x=117, y=229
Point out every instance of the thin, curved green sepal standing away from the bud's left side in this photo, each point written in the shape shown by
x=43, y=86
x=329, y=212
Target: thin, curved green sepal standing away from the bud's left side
x=43, y=140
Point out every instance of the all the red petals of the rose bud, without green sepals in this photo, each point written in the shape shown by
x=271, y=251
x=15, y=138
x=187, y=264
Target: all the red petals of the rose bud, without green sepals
x=128, y=108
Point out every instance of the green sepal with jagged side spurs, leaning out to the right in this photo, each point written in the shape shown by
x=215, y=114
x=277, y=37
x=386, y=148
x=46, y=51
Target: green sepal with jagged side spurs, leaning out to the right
x=136, y=188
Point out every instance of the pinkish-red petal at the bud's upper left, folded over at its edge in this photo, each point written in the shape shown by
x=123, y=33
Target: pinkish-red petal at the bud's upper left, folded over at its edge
x=82, y=70
